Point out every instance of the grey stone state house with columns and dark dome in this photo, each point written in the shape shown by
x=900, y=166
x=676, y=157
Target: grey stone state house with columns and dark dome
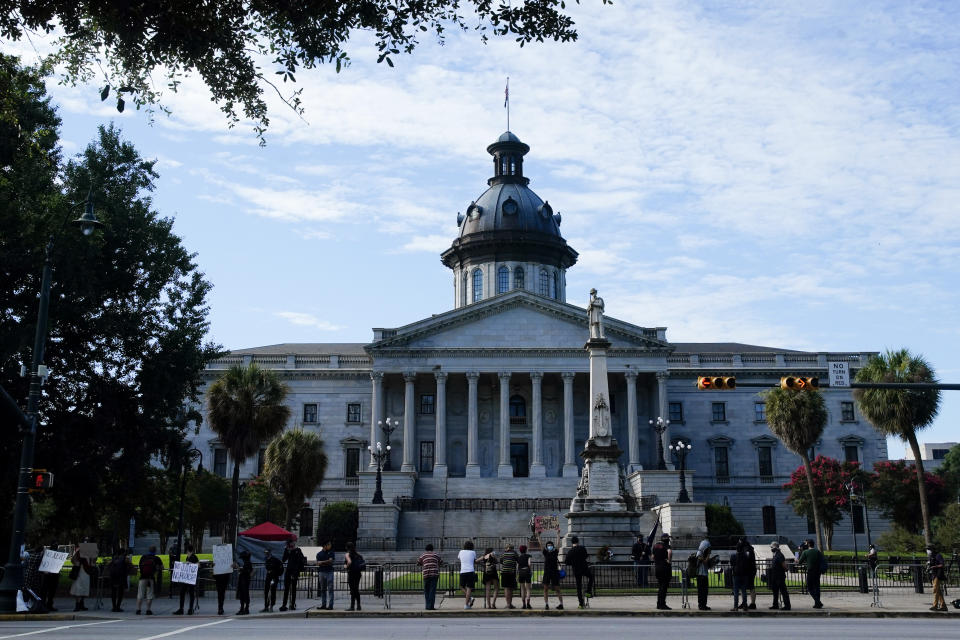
x=491, y=397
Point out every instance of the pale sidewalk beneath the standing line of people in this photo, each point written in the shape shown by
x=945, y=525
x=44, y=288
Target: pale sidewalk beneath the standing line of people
x=845, y=604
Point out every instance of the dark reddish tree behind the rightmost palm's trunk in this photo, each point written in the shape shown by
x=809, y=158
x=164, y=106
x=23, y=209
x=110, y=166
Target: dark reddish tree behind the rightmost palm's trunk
x=893, y=490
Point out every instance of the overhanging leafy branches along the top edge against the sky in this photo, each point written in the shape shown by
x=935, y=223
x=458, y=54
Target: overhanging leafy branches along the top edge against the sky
x=227, y=42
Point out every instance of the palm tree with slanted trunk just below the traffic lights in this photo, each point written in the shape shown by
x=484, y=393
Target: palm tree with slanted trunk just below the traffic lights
x=798, y=418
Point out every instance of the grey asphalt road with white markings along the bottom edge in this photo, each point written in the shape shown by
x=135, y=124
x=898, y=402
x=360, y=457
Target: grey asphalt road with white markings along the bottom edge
x=481, y=629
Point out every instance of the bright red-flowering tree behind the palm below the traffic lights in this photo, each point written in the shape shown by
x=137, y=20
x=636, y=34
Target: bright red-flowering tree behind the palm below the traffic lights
x=830, y=478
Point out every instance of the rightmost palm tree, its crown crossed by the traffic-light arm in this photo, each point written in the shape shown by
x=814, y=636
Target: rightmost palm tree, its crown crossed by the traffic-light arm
x=901, y=412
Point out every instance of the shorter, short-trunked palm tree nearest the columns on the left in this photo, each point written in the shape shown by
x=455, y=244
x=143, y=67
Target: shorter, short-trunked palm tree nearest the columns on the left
x=295, y=464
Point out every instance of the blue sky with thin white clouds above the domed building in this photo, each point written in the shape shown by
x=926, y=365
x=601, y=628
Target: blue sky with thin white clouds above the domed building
x=783, y=174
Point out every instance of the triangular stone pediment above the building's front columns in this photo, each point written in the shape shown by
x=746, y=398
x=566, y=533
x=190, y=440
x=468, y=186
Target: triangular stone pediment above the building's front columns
x=516, y=320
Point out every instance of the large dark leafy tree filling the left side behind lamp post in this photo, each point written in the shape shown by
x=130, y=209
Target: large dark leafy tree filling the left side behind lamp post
x=128, y=313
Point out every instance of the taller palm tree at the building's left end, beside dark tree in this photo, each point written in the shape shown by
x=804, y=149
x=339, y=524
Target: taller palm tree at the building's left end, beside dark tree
x=245, y=408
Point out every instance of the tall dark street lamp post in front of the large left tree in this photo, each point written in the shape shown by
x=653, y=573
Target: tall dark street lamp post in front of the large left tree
x=13, y=571
